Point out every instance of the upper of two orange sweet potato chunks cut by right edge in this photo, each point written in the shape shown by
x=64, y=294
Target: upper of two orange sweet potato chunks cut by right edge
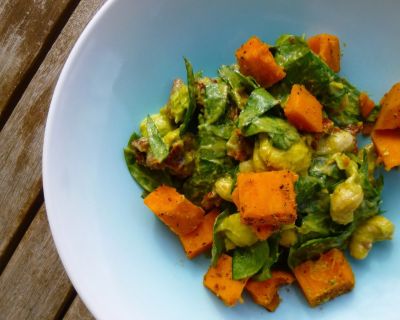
x=389, y=116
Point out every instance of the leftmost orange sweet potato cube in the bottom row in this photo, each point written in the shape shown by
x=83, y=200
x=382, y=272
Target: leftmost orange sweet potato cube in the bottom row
x=219, y=280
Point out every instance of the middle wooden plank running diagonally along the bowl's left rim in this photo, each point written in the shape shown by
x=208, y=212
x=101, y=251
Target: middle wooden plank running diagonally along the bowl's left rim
x=22, y=137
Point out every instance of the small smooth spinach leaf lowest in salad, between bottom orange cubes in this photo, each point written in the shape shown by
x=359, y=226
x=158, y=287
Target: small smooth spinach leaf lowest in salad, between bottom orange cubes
x=248, y=261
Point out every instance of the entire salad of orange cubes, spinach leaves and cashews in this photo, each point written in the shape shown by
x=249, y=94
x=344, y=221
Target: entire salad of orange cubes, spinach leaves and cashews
x=260, y=166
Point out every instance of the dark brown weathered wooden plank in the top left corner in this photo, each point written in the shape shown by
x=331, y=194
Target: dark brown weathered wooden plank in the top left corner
x=26, y=28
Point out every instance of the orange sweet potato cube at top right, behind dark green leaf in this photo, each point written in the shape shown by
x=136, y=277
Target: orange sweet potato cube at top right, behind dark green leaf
x=327, y=47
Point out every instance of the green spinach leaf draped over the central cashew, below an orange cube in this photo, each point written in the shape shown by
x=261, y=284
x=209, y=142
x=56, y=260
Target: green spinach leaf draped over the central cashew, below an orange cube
x=282, y=134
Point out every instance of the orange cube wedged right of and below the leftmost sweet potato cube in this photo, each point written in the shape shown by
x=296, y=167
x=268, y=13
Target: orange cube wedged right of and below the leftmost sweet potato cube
x=200, y=240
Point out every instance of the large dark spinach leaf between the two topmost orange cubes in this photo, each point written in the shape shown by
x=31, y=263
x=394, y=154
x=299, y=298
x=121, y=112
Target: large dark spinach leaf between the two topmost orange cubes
x=302, y=66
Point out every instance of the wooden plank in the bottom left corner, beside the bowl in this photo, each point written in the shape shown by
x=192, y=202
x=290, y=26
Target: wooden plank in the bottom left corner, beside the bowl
x=34, y=284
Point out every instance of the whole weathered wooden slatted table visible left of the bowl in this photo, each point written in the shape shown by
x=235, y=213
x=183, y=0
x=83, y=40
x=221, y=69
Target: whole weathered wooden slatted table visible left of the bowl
x=36, y=37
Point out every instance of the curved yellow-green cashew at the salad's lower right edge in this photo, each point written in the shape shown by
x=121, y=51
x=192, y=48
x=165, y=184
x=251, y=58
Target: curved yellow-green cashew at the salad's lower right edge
x=377, y=228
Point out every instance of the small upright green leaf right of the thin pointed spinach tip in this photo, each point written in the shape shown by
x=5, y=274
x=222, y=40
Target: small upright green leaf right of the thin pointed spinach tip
x=215, y=102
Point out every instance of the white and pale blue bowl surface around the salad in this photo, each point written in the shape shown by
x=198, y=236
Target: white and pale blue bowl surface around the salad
x=123, y=262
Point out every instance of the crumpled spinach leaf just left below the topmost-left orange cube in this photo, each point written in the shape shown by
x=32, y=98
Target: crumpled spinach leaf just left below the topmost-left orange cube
x=239, y=84
